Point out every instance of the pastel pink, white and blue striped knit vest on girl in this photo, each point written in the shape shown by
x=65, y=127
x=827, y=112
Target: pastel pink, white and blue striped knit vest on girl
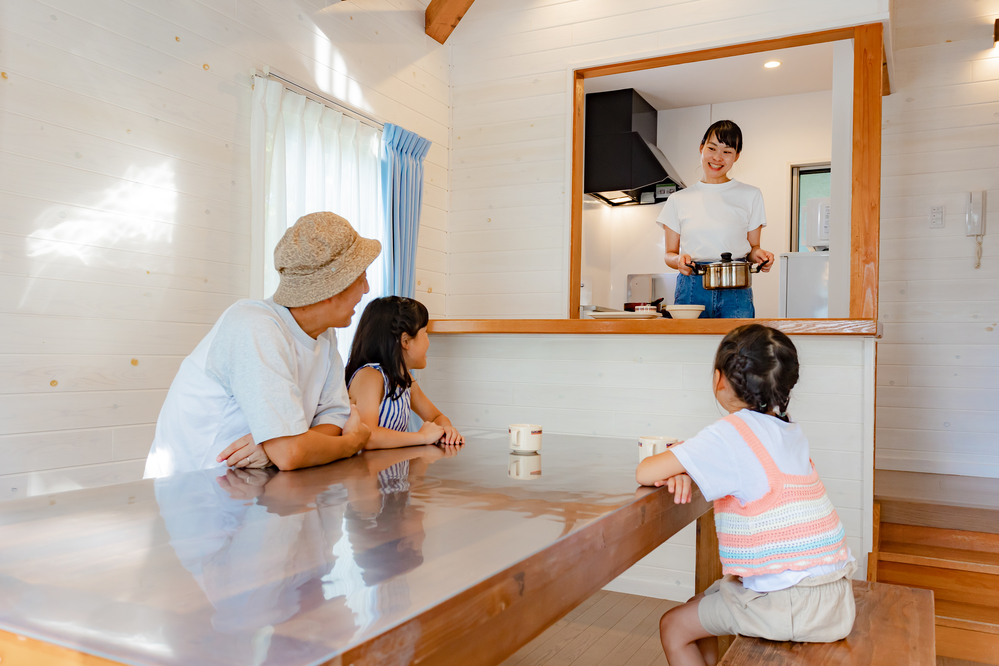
x=792, y=528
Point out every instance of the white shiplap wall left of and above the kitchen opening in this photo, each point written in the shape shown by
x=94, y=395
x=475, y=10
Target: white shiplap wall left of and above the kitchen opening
x=509, y=216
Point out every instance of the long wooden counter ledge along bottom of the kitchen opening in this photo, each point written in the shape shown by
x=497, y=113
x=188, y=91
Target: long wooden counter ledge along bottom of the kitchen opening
x=852, y=327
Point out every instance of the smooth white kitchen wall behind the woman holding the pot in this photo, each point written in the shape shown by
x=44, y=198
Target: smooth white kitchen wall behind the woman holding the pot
x=778, y=132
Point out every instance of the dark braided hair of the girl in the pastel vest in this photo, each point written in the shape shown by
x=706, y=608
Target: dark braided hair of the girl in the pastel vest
x=761, y=366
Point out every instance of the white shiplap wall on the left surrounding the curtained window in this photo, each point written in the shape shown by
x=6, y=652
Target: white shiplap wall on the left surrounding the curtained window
x=124, y=197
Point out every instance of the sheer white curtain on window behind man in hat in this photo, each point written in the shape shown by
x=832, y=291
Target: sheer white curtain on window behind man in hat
x=306, y=157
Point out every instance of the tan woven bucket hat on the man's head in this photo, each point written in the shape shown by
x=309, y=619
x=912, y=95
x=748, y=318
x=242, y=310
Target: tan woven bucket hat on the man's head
x=318, y=257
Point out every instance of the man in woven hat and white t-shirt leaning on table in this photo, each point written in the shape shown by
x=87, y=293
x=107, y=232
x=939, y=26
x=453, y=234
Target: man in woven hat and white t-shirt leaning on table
x=266, y=384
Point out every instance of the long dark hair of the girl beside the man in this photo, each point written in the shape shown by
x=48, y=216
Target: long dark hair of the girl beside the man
x=378, y=339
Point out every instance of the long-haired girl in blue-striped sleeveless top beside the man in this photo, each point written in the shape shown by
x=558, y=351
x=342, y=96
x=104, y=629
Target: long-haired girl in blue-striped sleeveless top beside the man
x=391, y=341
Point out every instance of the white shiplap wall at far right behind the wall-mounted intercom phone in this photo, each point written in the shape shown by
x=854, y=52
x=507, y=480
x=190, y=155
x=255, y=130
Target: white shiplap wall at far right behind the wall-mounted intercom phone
x=938, y=364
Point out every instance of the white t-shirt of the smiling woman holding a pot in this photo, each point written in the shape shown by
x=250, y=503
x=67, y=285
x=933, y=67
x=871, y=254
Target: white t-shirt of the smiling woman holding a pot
x=712, y=219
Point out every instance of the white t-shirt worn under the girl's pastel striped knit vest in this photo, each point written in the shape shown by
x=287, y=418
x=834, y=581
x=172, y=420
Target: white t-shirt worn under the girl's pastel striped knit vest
x=721, y=464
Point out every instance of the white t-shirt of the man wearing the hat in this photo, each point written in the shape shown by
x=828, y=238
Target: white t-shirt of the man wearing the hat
x=255, y=372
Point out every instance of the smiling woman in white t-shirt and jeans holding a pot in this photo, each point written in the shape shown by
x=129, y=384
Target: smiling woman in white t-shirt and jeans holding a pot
x=716, y=215
